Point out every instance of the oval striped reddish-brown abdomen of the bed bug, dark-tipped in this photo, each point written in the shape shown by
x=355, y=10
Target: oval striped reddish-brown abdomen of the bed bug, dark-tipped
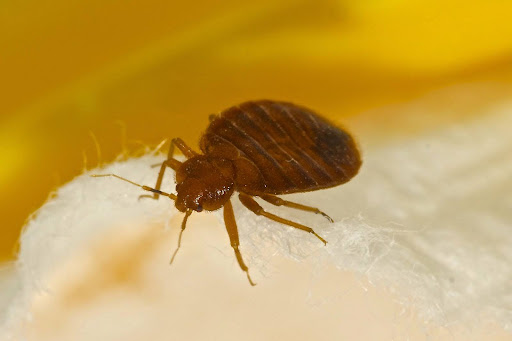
x=292, y=148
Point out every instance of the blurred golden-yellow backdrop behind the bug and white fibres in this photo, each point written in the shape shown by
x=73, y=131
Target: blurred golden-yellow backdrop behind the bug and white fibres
x=158, y=68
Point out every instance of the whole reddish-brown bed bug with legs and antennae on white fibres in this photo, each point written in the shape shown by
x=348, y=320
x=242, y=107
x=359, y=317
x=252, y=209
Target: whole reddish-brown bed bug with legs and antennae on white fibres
x=259, y=149
